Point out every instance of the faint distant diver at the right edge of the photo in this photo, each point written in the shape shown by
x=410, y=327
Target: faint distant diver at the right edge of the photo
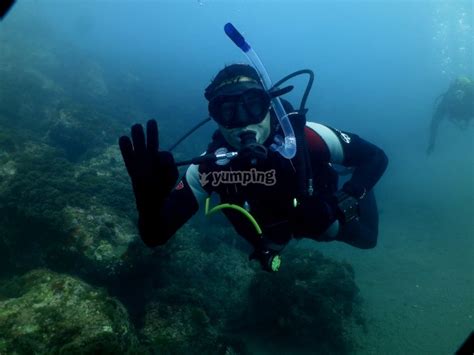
x=456, y=104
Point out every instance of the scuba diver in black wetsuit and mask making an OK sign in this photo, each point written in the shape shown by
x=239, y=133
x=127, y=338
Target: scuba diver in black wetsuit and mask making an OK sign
x=268, y=198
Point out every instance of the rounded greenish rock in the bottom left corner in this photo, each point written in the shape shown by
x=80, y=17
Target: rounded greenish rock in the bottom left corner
x=48, y=313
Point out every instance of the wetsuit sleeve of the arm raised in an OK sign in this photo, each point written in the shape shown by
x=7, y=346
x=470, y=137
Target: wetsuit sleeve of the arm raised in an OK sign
x=182, y=203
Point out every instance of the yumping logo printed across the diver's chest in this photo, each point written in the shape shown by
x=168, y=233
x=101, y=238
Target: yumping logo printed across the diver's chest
x=252, y=176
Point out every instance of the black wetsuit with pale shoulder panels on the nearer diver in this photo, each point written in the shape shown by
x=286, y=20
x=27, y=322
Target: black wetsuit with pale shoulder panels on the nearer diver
x=271, y=194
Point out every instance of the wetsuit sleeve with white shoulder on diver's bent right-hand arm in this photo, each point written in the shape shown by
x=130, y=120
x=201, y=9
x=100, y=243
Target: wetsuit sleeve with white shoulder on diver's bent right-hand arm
x=348, y=149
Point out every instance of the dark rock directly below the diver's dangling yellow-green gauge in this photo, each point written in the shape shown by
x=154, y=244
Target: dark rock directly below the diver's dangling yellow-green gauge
x=311, y=301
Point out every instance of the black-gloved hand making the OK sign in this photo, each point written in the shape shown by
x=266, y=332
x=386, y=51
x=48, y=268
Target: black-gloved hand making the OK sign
x=153, y=173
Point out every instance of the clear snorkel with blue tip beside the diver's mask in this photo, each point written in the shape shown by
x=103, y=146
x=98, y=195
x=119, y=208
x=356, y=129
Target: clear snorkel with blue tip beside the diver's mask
x=286, y=148
